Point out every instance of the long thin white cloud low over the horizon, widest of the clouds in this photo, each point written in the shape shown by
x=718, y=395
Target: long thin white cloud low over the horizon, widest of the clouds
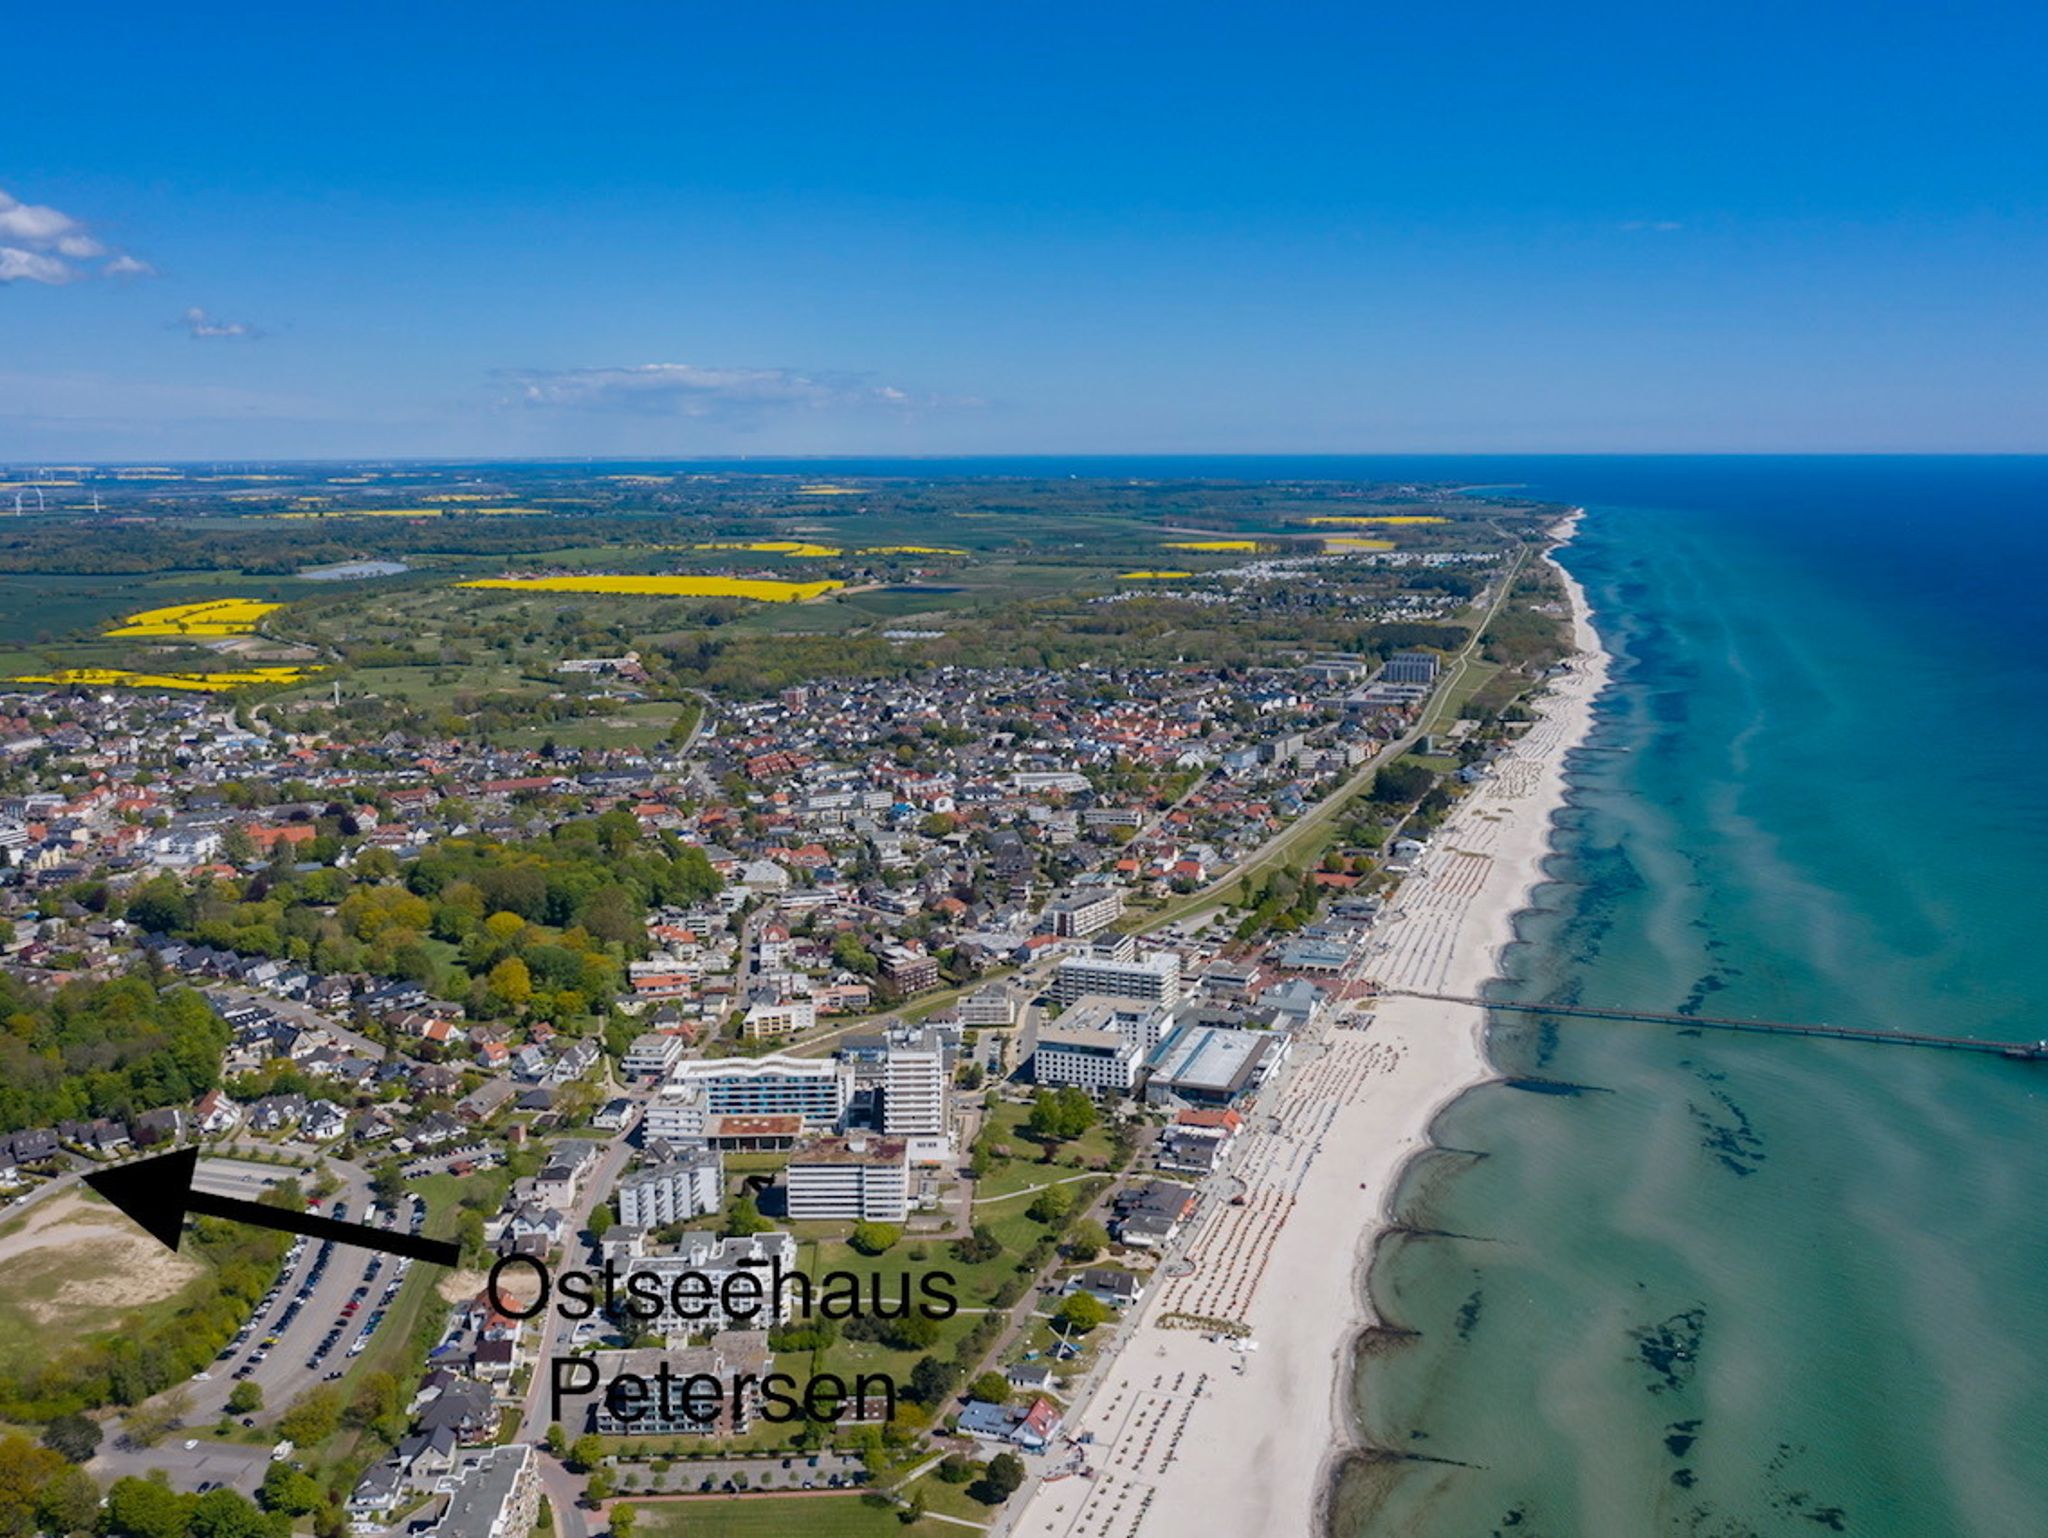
x=697, y=392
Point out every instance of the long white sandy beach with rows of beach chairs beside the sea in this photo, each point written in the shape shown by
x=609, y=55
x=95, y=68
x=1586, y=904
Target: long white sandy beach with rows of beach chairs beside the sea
x=1195, y=1437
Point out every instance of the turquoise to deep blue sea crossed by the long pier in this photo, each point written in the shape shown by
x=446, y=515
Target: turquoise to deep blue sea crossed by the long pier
x=1740, y=1285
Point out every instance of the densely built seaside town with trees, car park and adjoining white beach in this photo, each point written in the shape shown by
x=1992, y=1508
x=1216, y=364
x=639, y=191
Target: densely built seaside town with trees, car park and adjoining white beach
x=1084, y=996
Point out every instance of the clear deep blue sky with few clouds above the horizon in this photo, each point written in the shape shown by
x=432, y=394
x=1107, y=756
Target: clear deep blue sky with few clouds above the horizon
x=1109, y=228
